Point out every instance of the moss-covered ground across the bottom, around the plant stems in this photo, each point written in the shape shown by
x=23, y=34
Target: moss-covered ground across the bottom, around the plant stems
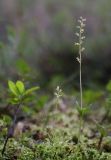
x=53, y=135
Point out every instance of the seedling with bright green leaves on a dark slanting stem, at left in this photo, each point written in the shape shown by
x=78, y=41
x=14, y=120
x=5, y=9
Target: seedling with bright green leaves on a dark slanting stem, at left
x=19, y=96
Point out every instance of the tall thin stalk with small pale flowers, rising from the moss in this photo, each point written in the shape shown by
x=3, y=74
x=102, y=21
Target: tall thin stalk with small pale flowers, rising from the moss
x=80, y=34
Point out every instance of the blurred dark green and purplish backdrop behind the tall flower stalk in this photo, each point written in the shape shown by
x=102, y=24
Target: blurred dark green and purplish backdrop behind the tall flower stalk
x=37, y=42
